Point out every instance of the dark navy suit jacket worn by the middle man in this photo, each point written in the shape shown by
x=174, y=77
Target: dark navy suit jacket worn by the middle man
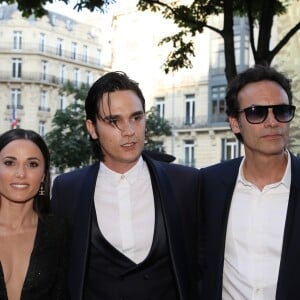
x=72, y=197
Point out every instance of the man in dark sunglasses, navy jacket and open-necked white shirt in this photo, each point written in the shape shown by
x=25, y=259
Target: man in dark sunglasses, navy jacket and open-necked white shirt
x=251, y=205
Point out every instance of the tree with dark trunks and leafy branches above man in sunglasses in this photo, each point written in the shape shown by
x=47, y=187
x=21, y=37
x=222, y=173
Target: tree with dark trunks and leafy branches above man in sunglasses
x=193, y=18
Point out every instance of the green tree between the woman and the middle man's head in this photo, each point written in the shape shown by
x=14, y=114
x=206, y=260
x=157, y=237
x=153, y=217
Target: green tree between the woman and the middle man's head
x=68, y=141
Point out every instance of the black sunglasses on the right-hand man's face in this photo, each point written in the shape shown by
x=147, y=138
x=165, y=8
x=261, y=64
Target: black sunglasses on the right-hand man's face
x=257, y=114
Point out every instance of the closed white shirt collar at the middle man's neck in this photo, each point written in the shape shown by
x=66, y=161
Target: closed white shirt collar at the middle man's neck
x=131, y=175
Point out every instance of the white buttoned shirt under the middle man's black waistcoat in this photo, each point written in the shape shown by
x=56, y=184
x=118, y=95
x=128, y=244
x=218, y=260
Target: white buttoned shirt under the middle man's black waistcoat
x=125, y=209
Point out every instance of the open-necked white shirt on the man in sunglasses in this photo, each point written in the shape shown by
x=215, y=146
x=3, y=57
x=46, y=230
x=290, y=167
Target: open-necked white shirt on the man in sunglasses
x=254, y=238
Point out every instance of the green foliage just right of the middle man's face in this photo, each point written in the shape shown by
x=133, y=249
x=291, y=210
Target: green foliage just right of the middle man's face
x=155, y=126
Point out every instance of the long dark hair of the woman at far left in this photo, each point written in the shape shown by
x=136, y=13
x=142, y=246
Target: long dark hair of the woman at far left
x=41, y=203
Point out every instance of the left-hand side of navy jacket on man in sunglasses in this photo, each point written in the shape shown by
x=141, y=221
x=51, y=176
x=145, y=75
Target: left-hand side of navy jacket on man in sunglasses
x=216, y=190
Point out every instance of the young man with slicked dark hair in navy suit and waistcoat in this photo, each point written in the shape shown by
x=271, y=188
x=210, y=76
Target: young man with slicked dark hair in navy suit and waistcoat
x=133, y=218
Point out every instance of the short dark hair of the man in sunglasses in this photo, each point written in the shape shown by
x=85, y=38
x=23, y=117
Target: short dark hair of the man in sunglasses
x=250, y=75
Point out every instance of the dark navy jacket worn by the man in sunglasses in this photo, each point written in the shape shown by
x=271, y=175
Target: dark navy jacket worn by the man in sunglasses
x=217, y=185
